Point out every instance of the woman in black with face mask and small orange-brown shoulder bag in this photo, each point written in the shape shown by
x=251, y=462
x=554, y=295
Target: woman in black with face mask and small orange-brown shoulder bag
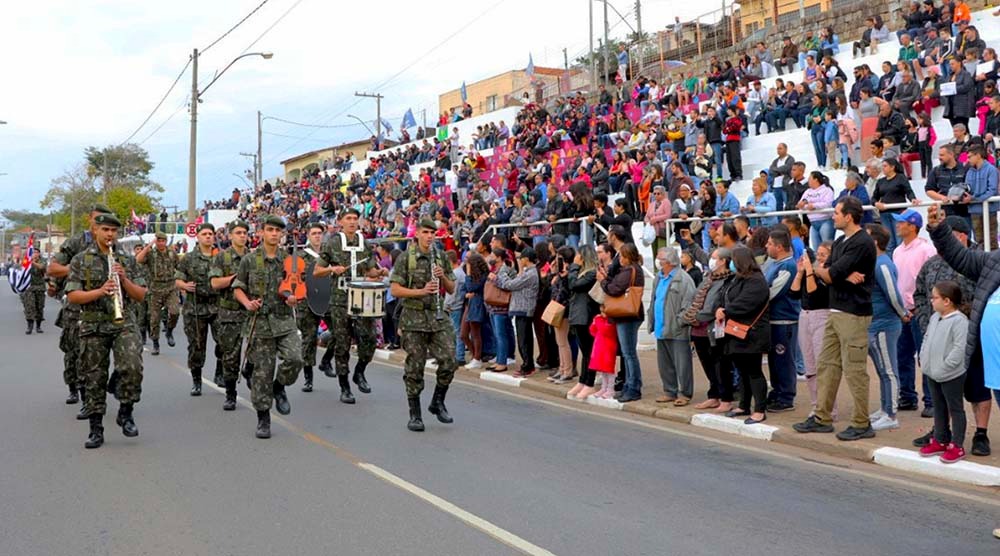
x=744, y=317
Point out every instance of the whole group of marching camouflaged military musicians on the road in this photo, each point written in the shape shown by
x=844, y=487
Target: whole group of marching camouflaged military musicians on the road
x=263, y=307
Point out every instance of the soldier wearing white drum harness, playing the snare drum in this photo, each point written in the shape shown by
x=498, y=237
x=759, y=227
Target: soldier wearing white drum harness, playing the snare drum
x=336, y=260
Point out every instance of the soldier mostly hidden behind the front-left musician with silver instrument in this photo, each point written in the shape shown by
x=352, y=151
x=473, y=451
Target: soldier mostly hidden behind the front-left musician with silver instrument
x=69, y=316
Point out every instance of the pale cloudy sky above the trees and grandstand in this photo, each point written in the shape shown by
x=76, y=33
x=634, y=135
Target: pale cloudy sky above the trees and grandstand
x=88, y=73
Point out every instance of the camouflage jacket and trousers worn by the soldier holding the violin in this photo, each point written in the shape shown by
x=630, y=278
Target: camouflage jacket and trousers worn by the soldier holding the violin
x=274, y=328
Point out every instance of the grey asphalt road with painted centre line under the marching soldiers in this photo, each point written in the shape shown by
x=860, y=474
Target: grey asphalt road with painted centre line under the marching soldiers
x=510, y=476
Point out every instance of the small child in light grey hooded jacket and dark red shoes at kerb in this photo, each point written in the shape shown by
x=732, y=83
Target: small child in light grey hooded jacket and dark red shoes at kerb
x=942, y=359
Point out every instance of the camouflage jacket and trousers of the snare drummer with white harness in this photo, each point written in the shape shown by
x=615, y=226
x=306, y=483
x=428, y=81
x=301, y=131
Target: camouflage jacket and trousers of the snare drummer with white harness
x=343, y=325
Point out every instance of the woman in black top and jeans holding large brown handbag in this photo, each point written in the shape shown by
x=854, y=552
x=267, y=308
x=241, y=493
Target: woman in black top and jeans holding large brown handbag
x=624, y=306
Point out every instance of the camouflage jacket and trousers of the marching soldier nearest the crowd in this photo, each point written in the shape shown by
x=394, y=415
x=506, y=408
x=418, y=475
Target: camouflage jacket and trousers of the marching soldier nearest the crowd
x=425, y=328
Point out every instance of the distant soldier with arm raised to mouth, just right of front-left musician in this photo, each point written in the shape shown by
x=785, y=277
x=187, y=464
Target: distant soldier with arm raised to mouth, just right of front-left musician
x=161, y=266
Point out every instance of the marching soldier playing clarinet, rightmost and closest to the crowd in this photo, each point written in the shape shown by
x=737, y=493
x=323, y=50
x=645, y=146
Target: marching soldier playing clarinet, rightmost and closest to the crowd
x=418, y=277
